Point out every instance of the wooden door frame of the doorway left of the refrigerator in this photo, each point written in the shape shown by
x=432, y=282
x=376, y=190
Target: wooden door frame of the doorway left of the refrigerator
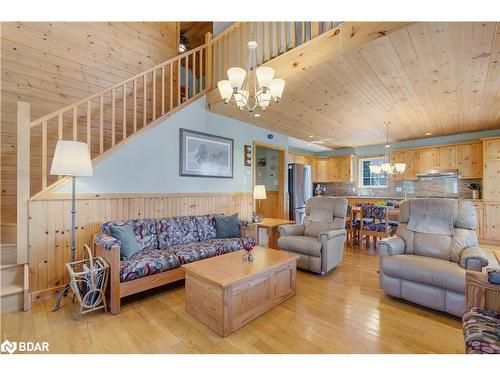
x=283, y=168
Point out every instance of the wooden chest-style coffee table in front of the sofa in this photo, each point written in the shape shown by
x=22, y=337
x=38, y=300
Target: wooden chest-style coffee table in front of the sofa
x=225, y=293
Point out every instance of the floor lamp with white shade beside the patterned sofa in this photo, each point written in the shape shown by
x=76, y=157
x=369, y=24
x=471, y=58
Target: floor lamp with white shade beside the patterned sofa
x=71, y=158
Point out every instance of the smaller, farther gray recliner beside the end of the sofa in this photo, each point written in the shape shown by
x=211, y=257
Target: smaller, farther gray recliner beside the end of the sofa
x=319, y=242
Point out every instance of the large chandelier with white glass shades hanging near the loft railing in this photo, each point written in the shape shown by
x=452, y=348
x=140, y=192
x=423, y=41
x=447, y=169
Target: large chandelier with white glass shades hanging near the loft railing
x=252, y=88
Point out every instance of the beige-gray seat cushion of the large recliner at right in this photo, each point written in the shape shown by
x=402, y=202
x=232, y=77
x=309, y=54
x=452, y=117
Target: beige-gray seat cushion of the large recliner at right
x=431, y=271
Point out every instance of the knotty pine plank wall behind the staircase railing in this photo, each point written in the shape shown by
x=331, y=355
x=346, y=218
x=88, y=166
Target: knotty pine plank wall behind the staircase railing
x=52, y=64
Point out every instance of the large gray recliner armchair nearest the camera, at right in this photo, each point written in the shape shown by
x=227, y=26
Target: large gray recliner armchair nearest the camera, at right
x=435, y=244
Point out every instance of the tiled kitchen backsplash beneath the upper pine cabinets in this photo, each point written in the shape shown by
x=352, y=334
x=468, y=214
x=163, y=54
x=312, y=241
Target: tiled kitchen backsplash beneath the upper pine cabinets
x=431, y=186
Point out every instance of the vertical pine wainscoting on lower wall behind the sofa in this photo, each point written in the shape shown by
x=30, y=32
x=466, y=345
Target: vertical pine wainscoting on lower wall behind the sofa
x=50, y=225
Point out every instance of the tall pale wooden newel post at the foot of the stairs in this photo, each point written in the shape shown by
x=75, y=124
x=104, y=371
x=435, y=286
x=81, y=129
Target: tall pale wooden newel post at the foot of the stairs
x=23, y=180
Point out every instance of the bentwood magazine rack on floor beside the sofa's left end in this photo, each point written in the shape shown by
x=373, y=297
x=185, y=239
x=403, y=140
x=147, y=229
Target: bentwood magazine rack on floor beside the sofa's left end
x=88, y=280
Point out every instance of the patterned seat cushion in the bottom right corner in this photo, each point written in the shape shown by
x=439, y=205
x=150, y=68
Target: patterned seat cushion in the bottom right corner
x=481, y=331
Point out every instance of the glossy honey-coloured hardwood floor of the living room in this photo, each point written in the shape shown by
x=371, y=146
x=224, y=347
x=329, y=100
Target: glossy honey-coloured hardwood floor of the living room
x=344, y=312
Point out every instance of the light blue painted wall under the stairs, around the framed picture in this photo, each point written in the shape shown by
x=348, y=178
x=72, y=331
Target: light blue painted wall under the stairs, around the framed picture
x=150, y=164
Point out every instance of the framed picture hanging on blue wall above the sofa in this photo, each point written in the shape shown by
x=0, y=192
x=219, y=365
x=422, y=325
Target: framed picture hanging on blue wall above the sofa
x=205, y=155
